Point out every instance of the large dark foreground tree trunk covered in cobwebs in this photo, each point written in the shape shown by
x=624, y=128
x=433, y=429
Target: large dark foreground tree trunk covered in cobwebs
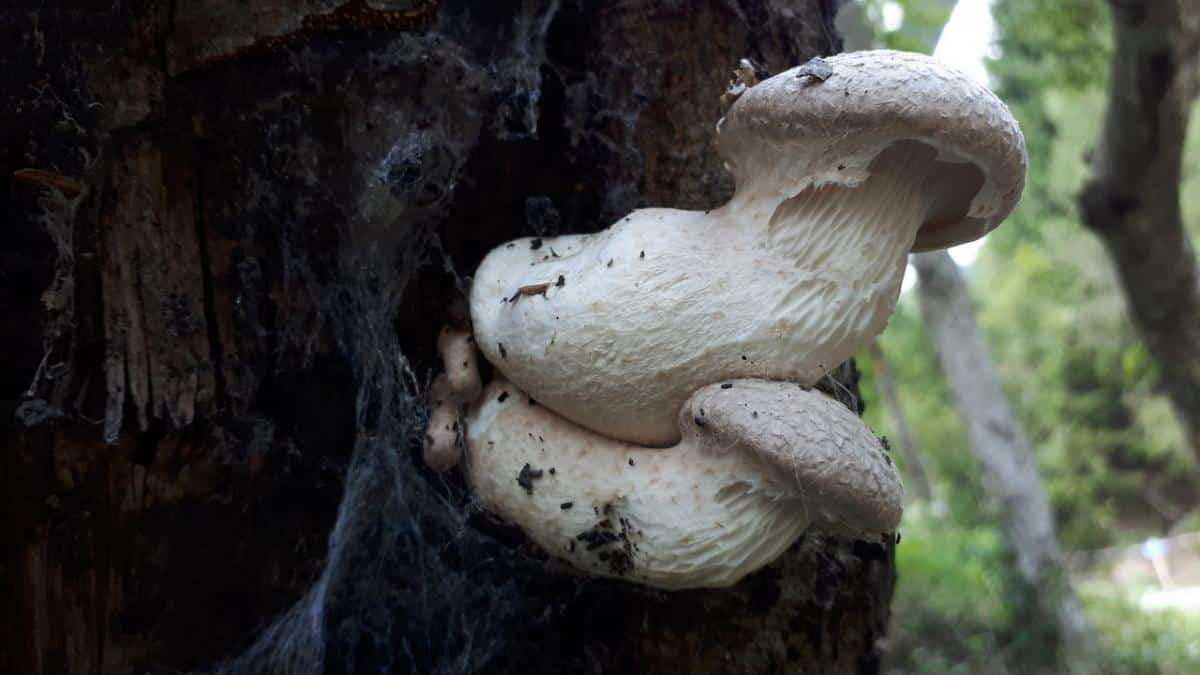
x=224, y=284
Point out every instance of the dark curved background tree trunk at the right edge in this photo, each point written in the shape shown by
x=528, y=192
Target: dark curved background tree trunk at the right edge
x=1132, y=199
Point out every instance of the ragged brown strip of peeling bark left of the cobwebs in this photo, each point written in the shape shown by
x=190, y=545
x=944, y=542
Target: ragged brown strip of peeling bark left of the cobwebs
x=158, y=353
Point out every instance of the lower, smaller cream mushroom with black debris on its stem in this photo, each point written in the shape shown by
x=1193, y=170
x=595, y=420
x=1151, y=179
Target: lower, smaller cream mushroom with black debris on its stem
x=759, y=463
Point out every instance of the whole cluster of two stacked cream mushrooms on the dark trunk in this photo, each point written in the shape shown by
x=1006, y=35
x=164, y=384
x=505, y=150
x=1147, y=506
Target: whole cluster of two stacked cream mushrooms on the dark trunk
x=675, y=342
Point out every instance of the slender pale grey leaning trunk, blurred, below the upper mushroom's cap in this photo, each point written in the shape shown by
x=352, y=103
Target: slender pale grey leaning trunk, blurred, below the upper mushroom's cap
x=1010, y=470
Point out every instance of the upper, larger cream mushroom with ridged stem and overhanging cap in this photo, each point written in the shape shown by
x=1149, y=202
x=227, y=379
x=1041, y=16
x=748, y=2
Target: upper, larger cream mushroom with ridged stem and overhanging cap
x=838, y=180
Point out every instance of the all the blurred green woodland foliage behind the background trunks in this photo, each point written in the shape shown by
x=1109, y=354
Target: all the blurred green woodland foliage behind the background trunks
x=1090, y=398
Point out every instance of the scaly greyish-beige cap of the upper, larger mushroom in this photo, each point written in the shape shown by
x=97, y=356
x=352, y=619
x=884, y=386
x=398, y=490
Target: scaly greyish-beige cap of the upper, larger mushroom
x=817, y=133
